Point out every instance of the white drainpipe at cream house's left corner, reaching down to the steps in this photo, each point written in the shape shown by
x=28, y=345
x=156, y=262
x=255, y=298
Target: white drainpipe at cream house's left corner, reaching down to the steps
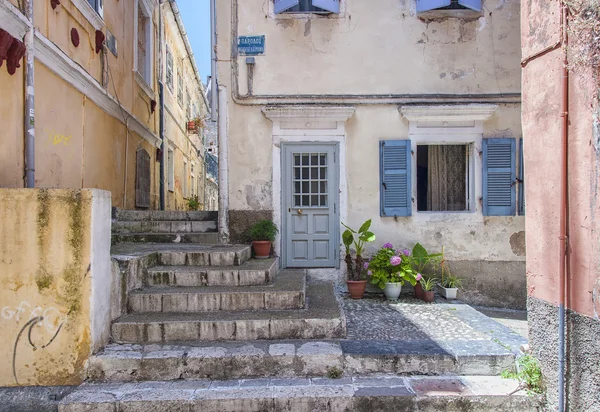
x=223, y=169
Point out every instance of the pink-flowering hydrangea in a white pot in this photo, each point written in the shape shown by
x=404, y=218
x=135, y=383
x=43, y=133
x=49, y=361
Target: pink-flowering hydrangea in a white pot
x=390, y=269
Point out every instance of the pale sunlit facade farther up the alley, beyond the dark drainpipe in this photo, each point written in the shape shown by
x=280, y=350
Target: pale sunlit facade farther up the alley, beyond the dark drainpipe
x=187, y=146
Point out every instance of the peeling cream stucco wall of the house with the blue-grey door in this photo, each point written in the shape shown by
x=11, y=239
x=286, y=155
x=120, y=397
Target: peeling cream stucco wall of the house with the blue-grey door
x=373, y=48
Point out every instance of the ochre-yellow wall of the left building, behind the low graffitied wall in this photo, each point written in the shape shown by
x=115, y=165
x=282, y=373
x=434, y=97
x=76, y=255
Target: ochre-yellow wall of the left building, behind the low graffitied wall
x=77, y=143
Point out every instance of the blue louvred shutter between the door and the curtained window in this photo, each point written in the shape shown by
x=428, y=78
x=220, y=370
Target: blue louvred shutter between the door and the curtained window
x=395, y=177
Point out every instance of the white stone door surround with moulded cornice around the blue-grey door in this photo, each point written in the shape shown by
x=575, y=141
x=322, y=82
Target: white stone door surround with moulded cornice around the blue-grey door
x=311, y=124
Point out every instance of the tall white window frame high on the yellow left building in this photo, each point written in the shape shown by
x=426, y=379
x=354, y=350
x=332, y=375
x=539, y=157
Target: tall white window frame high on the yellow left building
x=145, y=79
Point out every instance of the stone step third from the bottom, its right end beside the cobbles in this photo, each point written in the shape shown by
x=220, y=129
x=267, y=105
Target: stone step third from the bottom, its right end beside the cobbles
x=321, y=319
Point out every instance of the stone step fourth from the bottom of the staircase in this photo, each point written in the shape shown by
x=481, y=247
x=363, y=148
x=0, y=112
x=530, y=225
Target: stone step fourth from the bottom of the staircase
x=285, y=292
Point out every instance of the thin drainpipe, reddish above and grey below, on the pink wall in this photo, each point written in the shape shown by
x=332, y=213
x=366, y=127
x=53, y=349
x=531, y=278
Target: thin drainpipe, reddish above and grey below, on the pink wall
x=564, y=229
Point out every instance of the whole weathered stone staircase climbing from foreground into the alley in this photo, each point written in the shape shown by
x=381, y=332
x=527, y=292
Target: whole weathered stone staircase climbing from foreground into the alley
x=207, y=328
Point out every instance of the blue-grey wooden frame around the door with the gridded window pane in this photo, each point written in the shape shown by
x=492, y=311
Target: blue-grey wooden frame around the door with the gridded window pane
x=335, y=182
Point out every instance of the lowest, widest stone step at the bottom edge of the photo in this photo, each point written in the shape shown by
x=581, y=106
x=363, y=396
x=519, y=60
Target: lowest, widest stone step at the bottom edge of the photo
x=384, y=393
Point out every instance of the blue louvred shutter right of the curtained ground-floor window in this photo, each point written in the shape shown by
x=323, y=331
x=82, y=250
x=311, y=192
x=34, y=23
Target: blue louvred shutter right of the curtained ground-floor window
x=499, y=177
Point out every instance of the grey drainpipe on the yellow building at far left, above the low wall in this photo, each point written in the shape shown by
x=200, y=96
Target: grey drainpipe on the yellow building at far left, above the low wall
x=29, y=121
